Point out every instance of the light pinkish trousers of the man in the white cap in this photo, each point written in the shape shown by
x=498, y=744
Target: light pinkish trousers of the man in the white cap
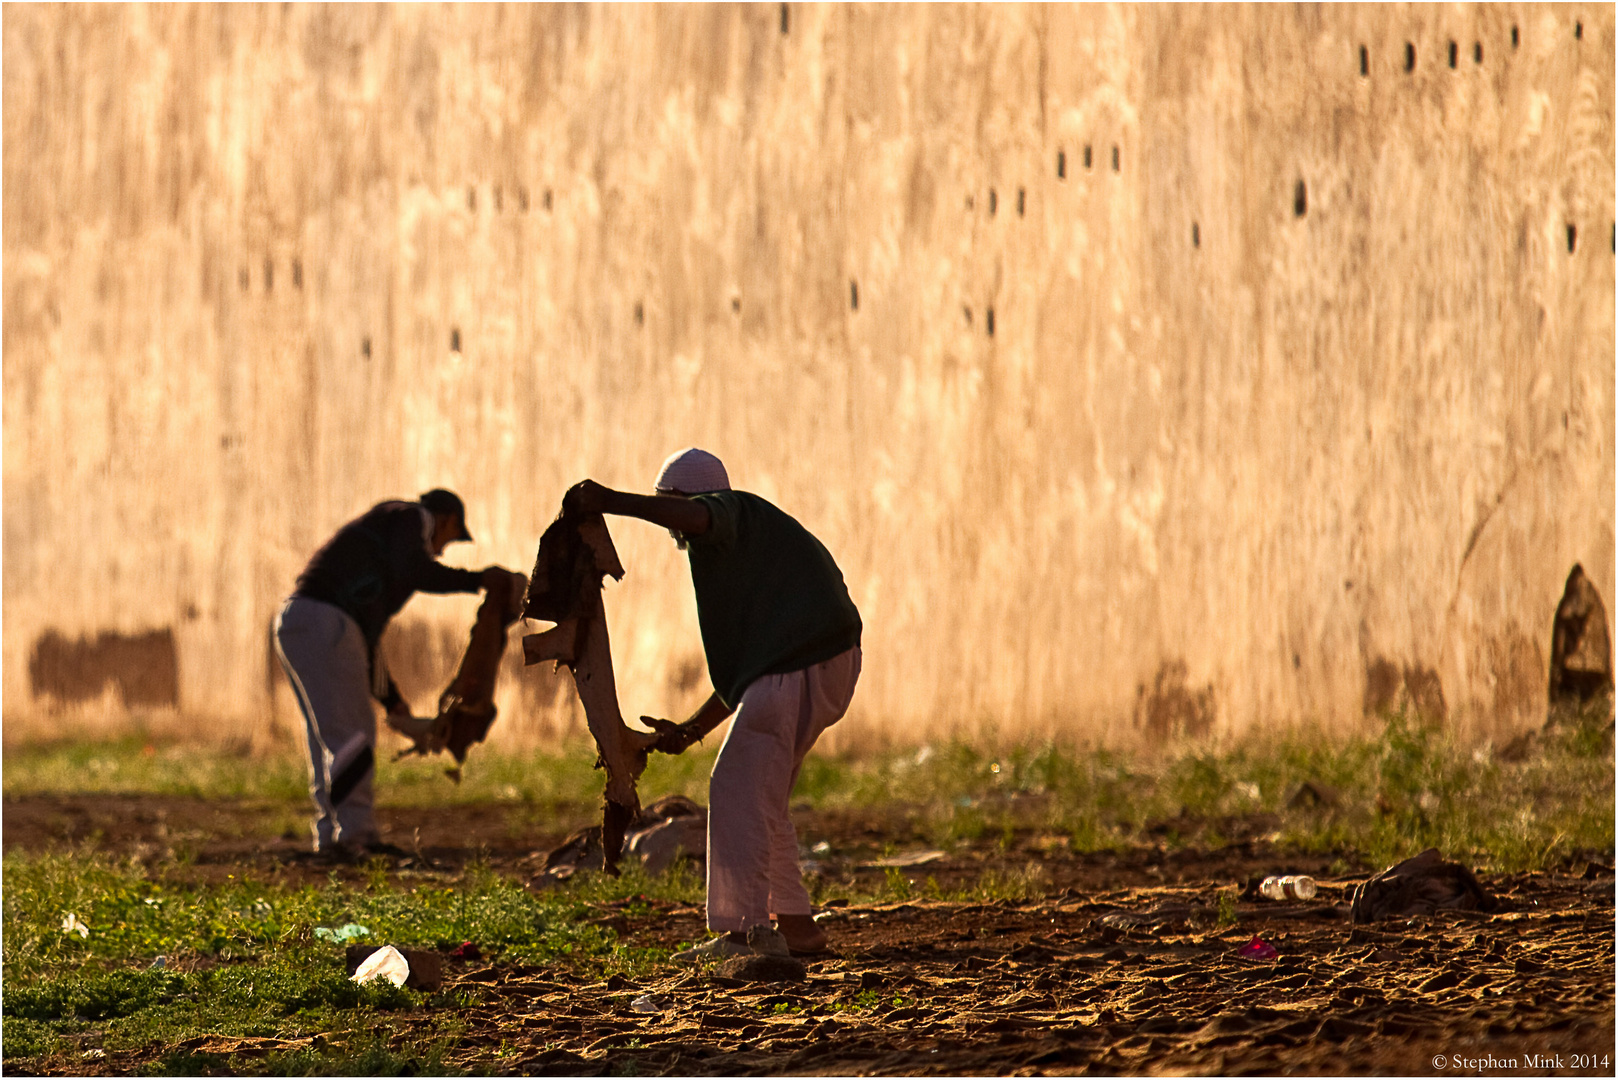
x=753, y=848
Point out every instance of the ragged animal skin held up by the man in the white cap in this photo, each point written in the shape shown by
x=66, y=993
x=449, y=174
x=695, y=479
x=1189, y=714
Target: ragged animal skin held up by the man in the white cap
x=574, y=558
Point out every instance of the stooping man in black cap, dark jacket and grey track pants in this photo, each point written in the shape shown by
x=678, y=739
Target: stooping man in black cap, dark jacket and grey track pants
x=328, y=639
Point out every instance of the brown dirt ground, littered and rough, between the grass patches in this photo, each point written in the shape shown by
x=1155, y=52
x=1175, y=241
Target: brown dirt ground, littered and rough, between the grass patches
x=1122, y=967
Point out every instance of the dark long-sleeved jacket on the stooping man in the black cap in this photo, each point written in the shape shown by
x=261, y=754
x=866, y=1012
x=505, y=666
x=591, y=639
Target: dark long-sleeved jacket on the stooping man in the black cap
x=373, y=566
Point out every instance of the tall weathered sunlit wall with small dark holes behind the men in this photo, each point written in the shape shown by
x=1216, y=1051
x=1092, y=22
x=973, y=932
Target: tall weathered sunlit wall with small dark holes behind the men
x=1146, y=368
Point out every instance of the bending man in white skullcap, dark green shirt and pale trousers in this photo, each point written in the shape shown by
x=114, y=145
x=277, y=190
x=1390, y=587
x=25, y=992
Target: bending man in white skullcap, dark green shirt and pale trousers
x=782, y=642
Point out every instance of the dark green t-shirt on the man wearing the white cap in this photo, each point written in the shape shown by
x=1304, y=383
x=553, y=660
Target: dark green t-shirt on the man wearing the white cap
x=769, y=597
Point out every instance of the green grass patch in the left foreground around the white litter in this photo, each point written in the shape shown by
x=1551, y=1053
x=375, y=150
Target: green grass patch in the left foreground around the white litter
x=242, y=959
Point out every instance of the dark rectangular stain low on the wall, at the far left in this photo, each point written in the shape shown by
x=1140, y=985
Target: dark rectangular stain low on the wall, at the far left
x=145, y=668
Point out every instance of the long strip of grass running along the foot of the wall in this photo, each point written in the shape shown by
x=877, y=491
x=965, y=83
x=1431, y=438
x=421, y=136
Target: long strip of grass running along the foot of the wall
x=1397, y=791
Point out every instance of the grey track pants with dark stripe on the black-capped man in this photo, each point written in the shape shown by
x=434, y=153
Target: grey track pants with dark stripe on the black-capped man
x=324, y=655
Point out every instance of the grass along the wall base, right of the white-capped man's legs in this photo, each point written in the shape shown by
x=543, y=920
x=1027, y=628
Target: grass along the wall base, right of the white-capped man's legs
x=1397, y=793
